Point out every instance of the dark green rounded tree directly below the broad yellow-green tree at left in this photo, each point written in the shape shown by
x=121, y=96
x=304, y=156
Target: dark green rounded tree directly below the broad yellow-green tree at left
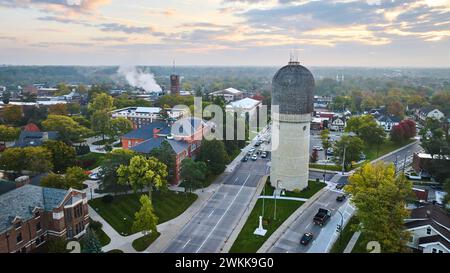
x=63, y=155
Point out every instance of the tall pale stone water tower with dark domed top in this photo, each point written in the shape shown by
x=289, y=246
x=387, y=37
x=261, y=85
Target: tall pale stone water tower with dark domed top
x=292, y=107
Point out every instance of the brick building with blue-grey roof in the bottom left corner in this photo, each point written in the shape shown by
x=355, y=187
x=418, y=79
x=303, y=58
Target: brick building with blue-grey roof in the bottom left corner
x=31, y=215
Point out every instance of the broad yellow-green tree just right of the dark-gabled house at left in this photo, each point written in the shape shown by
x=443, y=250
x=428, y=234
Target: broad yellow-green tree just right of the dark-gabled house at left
x=68, y=129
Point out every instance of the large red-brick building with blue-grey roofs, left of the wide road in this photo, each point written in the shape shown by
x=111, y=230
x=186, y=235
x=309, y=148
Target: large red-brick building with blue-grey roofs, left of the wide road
x=184, y=137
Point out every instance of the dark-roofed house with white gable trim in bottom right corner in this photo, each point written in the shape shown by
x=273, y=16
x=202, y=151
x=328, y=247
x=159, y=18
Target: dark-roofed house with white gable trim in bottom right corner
x=430, y=229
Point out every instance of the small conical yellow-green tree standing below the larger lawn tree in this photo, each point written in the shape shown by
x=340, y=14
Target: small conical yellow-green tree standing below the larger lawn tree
x=145, y=219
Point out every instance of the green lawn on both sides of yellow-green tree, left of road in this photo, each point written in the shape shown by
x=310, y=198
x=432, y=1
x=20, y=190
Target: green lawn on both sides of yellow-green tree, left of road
x=120, y=213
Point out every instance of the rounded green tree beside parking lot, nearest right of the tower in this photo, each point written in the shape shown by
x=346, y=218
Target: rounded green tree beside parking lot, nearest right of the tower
x=352, y=146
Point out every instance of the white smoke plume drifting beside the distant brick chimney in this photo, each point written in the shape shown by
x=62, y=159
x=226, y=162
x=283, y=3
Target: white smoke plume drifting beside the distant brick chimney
x=138, y=78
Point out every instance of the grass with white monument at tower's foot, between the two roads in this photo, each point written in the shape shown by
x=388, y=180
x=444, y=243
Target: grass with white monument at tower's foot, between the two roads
x=247, y=242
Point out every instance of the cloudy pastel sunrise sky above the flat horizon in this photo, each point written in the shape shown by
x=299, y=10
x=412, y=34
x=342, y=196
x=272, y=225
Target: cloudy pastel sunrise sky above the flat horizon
x=377, y=33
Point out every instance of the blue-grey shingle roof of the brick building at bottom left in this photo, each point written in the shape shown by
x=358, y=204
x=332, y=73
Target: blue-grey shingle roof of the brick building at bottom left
x=21, y=202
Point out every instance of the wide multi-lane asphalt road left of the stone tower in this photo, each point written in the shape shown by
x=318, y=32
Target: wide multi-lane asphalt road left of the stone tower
x=209, y=229
